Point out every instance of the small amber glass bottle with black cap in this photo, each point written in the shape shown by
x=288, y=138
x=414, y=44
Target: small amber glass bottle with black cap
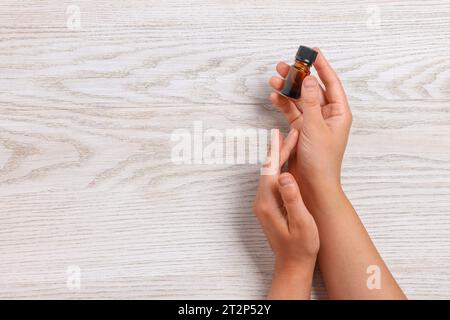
x=304, y=59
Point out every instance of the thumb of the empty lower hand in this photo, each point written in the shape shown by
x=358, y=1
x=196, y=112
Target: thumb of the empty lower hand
x=290, y=194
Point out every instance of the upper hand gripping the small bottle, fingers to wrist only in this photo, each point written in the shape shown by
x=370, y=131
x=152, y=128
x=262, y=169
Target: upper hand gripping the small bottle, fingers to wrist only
x=323, y=117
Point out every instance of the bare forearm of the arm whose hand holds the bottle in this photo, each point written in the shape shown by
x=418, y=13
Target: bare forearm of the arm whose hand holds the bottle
x=347, y=251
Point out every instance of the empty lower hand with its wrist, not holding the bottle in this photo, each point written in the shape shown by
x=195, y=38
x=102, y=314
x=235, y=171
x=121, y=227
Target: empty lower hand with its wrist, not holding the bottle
x=289, y=227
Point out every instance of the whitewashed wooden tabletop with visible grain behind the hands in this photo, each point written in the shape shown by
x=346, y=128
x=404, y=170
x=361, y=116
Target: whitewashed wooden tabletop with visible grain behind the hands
x=85, y=121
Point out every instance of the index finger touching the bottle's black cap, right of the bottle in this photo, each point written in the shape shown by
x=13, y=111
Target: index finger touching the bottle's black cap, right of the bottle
x=333, y=86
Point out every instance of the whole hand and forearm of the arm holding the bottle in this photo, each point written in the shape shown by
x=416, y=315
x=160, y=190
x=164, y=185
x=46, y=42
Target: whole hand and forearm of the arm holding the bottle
x=323, y=118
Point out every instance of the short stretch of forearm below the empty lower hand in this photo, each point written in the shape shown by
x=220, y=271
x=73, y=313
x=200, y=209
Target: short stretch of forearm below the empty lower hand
x=292, y=283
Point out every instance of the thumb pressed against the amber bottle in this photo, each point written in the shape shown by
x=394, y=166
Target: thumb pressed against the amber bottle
x=310, y=99
